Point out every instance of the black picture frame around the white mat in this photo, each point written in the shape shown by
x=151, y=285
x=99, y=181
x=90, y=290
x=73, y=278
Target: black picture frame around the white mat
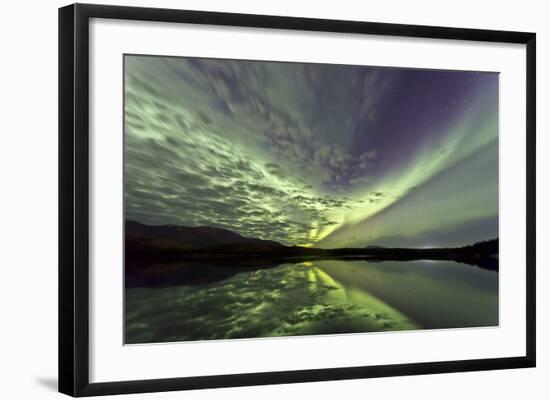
x=74, y=198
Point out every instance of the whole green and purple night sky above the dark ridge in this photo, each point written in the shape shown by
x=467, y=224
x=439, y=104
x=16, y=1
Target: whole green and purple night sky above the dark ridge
x=313, y=154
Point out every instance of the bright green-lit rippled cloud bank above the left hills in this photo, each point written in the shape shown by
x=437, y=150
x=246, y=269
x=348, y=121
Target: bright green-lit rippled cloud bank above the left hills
x=200, y=179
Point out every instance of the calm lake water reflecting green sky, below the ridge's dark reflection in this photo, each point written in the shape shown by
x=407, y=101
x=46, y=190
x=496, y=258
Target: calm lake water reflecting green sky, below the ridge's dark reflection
x=316, y=298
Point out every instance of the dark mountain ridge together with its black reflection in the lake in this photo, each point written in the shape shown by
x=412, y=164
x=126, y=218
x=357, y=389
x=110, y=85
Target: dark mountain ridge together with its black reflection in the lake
x=172, y=255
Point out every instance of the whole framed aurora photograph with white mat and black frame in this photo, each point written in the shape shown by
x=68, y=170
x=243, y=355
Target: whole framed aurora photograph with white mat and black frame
x=250, y=199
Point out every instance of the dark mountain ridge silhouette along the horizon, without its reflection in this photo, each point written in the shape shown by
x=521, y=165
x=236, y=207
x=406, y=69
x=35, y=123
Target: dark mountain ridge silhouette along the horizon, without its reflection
x=170, y=242
